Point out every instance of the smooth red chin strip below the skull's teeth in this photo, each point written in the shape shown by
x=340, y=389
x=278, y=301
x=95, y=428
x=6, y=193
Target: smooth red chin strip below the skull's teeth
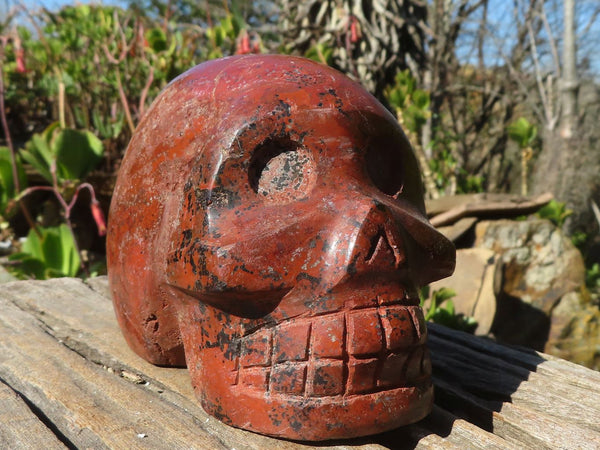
x=317, y=419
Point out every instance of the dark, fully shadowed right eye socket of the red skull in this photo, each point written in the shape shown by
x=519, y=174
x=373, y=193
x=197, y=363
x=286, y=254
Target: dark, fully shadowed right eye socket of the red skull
x=385, y=168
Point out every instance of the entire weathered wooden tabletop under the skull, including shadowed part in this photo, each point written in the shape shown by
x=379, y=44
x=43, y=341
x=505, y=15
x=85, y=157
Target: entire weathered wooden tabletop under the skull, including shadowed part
x=68, y=379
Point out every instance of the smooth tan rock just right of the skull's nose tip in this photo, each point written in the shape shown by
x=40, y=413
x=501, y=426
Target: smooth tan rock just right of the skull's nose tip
x=473, y=282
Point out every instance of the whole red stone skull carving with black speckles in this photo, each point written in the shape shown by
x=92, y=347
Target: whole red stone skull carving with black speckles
x=268, y=230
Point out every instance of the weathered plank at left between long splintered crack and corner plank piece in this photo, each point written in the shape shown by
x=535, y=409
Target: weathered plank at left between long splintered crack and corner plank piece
x=90, y=406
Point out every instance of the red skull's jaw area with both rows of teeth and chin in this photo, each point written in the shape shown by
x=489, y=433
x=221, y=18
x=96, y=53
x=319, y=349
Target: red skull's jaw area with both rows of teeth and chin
x=316, y=378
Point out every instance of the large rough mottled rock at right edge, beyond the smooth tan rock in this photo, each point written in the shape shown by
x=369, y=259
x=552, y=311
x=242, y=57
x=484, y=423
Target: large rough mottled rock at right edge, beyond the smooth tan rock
x=541, y=299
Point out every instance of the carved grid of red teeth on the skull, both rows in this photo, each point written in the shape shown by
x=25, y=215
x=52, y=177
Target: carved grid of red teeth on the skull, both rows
x=343, y=353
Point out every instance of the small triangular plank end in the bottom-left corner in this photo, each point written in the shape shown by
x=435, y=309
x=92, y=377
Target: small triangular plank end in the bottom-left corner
x=20, y=428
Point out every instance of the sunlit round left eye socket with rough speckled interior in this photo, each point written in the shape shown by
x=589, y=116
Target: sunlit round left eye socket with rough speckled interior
x=281, y=170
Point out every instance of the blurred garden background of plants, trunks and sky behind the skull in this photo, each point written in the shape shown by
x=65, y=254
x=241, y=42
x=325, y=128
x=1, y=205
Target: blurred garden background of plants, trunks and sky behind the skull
x=484, y=92
